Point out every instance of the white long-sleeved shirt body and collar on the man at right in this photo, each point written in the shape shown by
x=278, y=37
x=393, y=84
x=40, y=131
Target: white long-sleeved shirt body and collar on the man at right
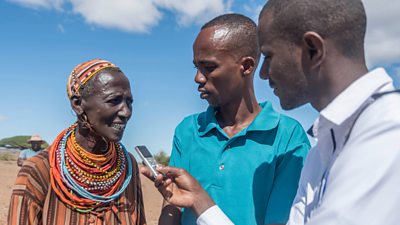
x=358, y=181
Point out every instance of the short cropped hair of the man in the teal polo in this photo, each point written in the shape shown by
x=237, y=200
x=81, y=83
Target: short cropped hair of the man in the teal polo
x=243, y=41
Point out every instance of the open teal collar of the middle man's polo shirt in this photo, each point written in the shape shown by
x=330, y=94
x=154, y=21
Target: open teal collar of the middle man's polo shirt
x=267, y=119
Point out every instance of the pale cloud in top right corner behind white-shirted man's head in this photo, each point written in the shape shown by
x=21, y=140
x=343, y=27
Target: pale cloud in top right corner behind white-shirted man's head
x=383, y=32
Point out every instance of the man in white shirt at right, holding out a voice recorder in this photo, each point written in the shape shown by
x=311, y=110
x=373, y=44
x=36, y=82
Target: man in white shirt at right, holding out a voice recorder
x=314, y=53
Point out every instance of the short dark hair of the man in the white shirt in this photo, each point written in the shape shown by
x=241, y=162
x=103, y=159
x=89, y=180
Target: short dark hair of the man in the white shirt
x=343, y=21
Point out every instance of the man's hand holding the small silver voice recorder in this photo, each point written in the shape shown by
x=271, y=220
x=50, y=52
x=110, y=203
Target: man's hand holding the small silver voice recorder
x=179, y=188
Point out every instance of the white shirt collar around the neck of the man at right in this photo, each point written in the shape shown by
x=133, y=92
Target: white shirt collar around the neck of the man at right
x=351, y=99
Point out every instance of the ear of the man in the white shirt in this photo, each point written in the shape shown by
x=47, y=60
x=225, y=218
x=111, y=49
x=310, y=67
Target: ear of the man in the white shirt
x=314, y=49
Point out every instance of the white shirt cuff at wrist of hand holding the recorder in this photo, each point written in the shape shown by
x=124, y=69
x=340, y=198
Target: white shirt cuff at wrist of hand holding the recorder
x=213, y=216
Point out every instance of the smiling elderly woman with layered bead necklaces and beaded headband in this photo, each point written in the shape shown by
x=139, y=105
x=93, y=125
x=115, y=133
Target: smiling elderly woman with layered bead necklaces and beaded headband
x=86, y=176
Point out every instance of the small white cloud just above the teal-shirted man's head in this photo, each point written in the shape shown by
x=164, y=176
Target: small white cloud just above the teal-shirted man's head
x=195, y=11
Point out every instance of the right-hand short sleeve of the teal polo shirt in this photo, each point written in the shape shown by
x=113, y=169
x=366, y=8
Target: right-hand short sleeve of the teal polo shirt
x=287, y=176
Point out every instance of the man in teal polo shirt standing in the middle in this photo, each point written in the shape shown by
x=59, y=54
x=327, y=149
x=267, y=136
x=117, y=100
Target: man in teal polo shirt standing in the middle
x=244, y=154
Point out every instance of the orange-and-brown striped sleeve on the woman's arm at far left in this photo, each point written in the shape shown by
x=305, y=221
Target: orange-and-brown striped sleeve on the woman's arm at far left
x=29, y=193
